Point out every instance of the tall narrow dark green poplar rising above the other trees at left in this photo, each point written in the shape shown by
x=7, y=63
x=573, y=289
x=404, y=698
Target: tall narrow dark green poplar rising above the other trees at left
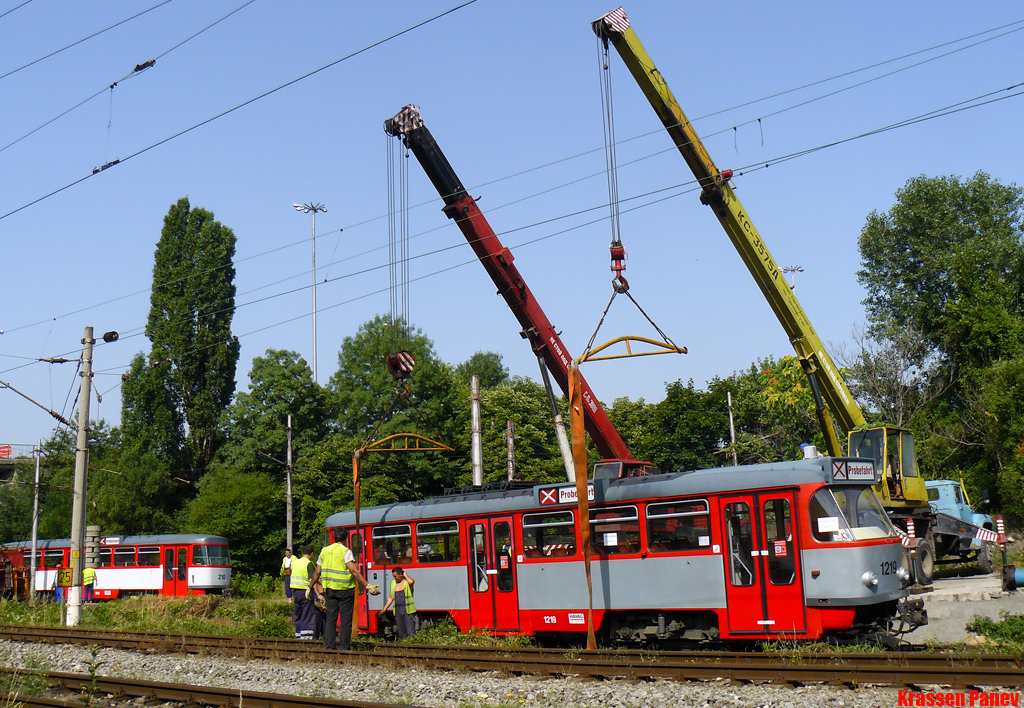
x=190, y=378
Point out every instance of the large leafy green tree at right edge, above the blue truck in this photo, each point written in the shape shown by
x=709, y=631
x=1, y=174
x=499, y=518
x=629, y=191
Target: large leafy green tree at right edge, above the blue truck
x=948, y=262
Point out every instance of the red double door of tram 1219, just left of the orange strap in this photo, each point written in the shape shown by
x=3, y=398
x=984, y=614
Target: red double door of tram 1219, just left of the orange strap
x=494, y=597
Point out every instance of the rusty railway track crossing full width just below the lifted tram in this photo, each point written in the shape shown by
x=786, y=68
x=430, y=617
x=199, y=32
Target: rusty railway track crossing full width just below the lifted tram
x=904, y=670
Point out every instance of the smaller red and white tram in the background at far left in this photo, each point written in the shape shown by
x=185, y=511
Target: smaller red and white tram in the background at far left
x=175, y=565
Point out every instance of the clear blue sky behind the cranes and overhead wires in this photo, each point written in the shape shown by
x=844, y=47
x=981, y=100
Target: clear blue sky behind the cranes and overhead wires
x=505, y=89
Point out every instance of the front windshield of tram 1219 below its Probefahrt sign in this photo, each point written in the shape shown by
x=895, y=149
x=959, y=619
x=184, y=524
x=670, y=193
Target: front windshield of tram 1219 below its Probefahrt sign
x=848, y=514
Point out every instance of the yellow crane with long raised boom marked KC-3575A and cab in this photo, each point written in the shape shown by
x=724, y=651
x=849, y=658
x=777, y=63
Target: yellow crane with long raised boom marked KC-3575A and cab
x=902, y=488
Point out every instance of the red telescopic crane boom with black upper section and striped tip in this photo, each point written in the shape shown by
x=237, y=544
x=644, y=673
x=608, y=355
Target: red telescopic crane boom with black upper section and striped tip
x=498, y=262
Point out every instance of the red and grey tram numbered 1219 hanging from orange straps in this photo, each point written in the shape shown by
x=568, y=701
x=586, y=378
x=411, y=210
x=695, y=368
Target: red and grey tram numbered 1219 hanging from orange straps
x=796, y=551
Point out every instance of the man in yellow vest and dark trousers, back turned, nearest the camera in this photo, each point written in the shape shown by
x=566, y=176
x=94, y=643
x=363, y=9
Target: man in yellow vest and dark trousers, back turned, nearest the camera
x=337, y=570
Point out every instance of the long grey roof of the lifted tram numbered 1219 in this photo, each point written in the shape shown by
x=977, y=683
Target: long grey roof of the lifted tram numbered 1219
x=684, y=484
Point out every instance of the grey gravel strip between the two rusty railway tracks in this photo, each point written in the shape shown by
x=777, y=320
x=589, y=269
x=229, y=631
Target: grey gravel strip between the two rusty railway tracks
x=430, y=688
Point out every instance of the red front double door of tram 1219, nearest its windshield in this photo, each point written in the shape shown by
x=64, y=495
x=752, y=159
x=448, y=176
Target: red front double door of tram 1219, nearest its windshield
x=764, y=591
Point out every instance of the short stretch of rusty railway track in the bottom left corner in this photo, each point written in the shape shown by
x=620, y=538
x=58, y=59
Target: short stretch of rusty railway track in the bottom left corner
x=125, y=690
